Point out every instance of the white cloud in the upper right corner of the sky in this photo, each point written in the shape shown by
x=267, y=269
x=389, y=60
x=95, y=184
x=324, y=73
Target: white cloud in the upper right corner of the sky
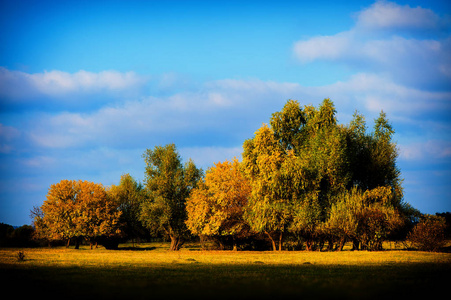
x=409, y=59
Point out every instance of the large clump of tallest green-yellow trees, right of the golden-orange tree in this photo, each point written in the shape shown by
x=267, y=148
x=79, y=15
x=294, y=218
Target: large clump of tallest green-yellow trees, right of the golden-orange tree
x=303, y=170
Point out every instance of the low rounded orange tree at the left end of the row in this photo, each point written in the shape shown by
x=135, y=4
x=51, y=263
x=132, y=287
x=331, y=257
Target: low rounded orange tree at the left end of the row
x=76, y=210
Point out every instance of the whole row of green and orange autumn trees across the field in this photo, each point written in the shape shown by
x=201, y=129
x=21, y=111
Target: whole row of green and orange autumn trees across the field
x=304, y=181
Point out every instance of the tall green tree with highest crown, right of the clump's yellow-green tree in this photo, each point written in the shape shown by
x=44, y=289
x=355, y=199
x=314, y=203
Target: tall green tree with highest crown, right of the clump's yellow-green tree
x=319, y=167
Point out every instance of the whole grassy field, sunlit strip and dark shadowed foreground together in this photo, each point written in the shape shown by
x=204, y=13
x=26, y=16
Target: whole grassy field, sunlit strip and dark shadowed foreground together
x=150, y=271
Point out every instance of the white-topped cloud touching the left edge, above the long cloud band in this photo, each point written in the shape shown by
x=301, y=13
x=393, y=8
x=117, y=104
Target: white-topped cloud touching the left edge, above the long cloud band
x=62, y=89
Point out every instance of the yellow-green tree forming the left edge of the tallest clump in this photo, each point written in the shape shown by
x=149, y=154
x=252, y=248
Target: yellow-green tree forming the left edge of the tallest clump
x=269, y=207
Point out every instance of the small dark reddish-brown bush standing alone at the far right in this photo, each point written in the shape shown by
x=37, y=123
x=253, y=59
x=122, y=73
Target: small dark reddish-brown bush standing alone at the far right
x=429, y=233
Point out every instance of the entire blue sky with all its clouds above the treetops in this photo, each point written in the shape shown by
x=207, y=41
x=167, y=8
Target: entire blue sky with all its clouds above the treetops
x=87, y=86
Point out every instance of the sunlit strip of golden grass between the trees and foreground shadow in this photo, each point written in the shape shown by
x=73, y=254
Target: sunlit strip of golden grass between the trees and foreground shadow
x=156, y=254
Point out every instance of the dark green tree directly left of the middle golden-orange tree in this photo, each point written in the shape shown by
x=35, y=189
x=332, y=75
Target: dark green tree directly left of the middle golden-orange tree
x=168, y=184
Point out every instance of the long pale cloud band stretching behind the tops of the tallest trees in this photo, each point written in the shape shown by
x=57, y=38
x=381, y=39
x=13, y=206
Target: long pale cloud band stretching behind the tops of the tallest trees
x=225, y=112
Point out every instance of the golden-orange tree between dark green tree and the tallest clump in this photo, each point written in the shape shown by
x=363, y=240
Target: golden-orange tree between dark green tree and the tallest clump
x=215, y=208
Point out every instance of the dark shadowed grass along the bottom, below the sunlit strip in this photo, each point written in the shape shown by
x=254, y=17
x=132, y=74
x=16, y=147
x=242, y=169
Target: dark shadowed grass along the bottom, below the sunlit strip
x=207, y=281
